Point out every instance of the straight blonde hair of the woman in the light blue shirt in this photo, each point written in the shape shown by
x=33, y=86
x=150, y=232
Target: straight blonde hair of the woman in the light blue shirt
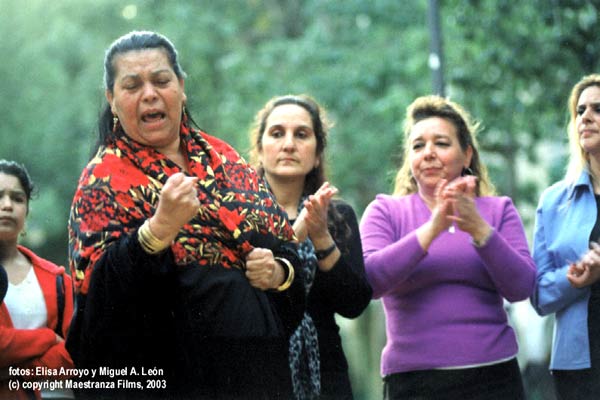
x=578, y=158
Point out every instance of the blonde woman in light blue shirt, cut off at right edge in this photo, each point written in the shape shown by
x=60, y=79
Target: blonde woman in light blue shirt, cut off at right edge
x=566, y=253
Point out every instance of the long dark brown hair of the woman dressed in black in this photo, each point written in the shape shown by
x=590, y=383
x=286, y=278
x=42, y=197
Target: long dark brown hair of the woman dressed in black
x=316, y=177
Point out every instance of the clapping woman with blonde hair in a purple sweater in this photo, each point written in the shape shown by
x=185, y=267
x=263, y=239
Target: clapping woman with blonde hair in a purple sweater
x=442, y=253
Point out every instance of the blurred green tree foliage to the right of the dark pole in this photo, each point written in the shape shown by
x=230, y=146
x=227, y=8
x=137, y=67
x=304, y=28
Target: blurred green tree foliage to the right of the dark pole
x=513, y=64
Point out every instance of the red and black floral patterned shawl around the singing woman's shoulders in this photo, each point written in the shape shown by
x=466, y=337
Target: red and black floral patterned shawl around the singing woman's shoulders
x=119, y=189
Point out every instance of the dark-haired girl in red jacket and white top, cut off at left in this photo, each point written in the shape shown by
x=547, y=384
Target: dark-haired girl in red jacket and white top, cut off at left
x=37, y=309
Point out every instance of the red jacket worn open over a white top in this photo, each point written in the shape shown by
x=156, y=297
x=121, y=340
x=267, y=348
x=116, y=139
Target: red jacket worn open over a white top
x=30, y=348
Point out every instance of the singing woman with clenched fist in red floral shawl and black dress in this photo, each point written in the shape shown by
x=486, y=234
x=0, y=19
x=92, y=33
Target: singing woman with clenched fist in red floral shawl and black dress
x=182, y=259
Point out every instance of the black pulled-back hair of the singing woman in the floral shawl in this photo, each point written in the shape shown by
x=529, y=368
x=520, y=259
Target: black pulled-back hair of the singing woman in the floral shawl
x=132, y=41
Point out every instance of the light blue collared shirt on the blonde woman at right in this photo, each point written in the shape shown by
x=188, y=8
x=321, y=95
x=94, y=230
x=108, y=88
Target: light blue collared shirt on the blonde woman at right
x=565, y=218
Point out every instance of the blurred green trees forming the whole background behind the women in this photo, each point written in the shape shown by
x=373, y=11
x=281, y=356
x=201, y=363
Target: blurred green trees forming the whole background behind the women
x=511, y=64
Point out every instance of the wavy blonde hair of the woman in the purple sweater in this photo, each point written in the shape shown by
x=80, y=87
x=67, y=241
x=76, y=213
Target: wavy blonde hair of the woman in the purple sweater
x=466, y=129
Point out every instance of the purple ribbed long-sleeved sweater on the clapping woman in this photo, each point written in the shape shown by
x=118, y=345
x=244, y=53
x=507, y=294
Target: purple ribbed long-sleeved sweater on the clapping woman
x=444, y=307
